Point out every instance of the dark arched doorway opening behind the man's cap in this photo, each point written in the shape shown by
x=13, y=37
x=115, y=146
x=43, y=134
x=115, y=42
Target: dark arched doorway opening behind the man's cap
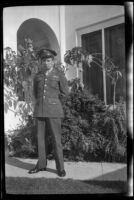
x=41, y=34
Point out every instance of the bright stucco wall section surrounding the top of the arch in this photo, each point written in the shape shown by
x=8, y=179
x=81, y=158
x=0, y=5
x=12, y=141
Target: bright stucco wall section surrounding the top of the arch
x=13, y=17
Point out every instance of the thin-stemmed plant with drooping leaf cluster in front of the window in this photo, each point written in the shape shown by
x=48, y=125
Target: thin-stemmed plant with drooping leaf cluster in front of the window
x=77, y=56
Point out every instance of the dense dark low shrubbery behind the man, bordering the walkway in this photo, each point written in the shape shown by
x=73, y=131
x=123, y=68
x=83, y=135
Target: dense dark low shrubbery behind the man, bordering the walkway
x=90, y=131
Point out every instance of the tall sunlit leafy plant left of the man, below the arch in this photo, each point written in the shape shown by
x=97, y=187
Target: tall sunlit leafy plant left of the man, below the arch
x=19, y=71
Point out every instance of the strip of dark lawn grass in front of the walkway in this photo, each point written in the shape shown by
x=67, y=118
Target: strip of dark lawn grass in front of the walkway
x=16, y=185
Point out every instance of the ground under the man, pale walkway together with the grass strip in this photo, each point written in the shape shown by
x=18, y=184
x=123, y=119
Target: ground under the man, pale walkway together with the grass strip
x=82, y=177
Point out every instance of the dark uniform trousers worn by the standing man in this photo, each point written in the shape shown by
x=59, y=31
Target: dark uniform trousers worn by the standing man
x=54, y=125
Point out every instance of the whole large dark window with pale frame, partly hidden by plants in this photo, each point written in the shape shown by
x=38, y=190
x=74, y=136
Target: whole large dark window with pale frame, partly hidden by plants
x=108, y=38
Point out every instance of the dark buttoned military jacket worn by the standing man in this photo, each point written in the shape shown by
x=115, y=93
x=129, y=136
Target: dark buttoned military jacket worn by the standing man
x=46, y=90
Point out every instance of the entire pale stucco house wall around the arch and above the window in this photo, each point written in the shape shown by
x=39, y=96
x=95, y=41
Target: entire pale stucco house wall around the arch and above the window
x=64, y=20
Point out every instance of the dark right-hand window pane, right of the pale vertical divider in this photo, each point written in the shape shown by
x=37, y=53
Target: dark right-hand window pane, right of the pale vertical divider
x=115, y=49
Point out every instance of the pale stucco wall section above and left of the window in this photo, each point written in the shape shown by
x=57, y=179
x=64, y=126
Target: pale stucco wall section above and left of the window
x=85, y=15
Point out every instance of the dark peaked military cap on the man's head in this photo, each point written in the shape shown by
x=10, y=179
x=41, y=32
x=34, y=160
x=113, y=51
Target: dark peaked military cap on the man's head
x=46, y=53
